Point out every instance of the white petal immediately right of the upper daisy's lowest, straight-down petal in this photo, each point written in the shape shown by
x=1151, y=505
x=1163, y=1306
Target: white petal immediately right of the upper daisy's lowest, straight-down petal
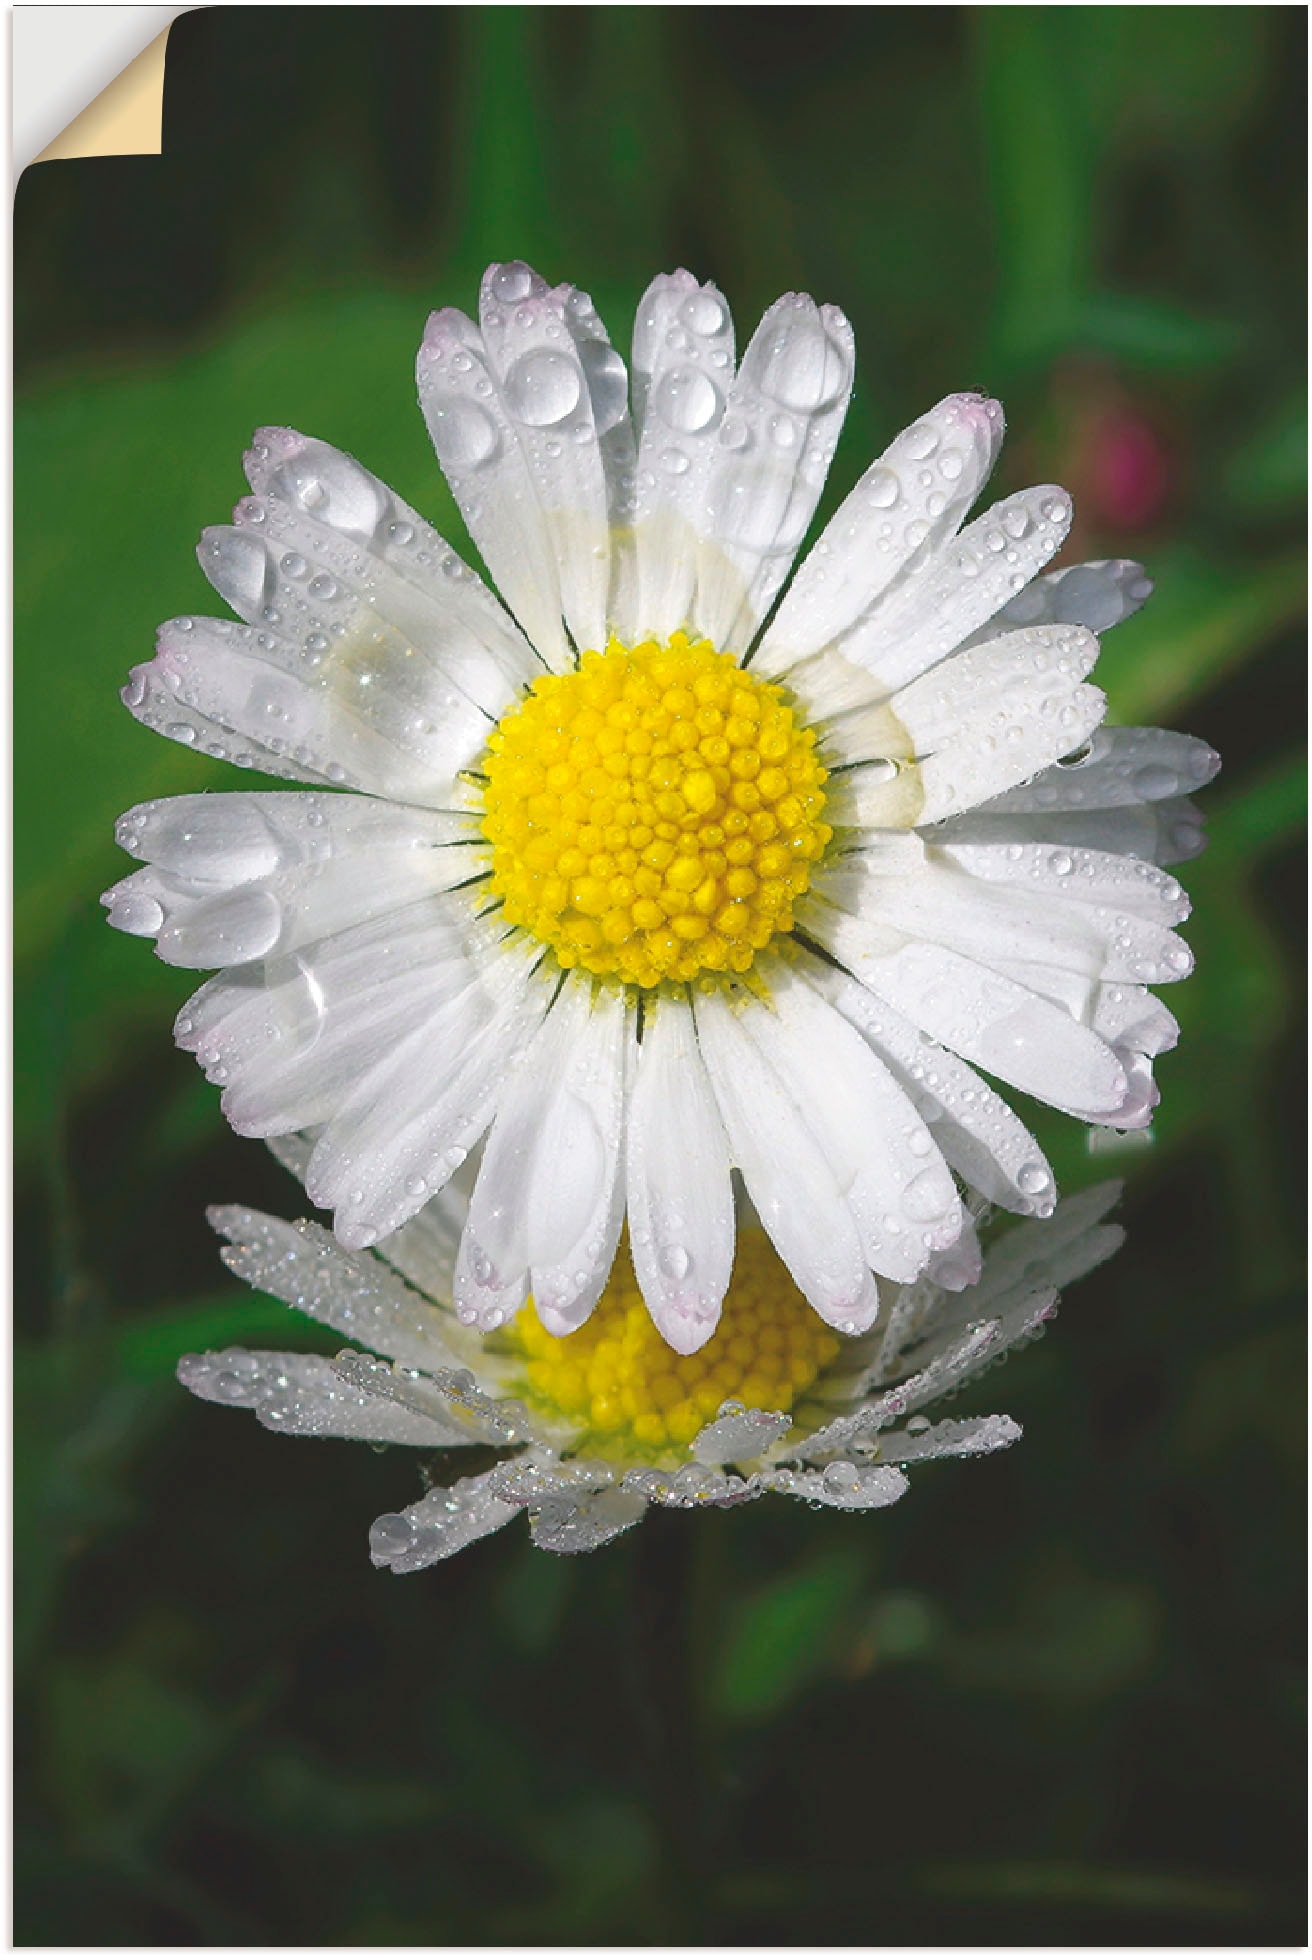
x=787, y=1175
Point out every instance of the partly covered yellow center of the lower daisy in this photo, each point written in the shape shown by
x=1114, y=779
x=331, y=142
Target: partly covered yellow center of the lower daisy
x=634, y=1396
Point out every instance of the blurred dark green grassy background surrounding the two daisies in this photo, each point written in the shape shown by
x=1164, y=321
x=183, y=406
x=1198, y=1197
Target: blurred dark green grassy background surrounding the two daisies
x=1050, y=1698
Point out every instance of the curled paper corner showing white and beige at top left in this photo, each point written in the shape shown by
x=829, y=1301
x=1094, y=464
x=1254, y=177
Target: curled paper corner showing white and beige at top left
x=89, y=81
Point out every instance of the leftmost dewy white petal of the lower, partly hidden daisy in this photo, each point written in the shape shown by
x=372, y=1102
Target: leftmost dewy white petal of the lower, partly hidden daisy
x=305, y=1396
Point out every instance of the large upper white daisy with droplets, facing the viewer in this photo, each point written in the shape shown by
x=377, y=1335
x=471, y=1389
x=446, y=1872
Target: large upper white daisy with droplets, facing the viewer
x=648, y=877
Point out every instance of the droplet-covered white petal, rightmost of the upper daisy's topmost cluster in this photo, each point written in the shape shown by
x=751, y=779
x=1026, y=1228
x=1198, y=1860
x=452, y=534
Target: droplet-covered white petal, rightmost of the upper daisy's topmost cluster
x=774, y=452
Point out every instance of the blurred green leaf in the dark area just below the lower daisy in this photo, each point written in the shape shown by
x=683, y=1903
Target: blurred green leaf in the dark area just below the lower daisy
x=783, y=1636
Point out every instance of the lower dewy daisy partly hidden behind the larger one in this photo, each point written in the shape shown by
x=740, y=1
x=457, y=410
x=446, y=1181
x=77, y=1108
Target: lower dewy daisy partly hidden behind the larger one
x=593, y=1428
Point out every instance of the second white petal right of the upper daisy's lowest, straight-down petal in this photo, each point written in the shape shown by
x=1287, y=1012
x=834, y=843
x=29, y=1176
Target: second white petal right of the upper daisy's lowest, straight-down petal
x=897, y=1185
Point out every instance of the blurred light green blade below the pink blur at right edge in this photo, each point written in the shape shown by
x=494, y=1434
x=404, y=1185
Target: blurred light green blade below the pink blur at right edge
x=1203, y=624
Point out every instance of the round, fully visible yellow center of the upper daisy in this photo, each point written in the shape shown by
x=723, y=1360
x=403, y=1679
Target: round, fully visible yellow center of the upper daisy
x=656, y=814
